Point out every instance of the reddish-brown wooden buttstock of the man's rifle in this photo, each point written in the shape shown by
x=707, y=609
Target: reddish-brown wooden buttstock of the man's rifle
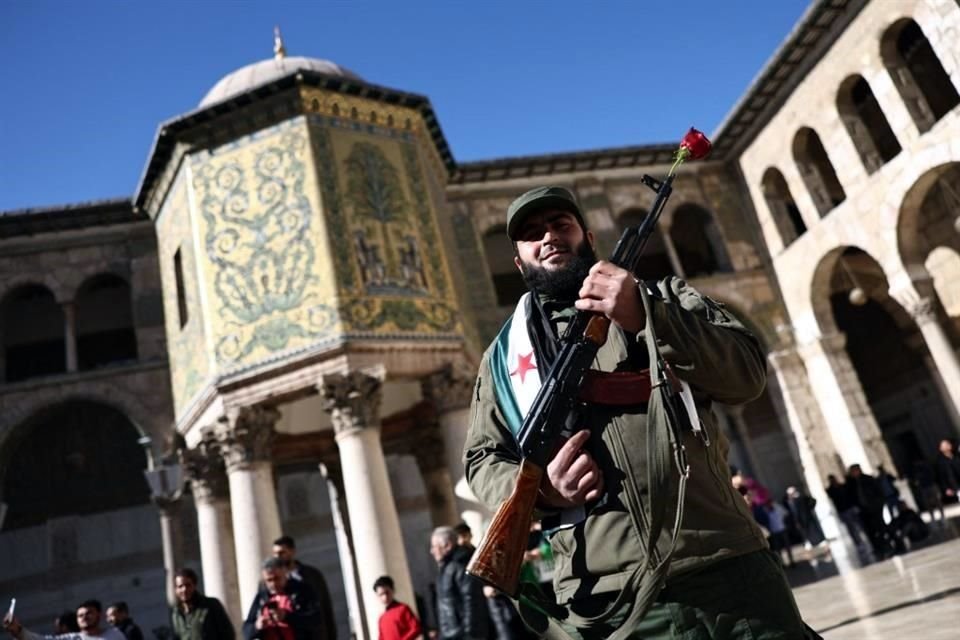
x=498, y=559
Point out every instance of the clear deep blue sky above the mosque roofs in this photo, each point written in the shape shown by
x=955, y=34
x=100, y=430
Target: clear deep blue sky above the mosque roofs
x=85, y=84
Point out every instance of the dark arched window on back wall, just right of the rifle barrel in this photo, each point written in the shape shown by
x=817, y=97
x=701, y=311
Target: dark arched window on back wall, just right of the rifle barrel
x=697, y=239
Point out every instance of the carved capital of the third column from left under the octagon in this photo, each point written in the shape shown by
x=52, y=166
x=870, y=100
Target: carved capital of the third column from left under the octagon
x=353, y=399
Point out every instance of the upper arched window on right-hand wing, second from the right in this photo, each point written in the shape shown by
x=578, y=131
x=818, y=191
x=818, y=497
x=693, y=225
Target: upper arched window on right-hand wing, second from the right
x=866, y=124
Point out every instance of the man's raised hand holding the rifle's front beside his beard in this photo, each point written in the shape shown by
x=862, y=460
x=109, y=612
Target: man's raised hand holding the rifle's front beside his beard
x=612, y=291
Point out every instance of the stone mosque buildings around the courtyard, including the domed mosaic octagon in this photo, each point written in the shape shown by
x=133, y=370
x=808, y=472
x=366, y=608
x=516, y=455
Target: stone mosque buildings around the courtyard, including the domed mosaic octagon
x=292, y=306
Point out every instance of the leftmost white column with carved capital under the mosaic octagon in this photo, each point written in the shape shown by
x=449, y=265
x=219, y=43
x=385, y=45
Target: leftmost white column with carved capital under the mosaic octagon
x=205, y=469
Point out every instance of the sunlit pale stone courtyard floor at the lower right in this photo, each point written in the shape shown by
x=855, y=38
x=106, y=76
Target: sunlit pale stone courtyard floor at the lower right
x=915, y=595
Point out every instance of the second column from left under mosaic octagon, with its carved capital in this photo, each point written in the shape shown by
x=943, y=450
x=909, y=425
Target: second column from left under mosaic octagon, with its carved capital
x=244, y=438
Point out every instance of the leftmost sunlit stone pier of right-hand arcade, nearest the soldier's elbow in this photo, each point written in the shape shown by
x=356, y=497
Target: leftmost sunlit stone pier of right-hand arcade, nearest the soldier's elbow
x=818, y=458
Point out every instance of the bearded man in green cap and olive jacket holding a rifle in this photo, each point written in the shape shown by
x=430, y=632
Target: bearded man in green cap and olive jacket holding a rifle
x=717, y=579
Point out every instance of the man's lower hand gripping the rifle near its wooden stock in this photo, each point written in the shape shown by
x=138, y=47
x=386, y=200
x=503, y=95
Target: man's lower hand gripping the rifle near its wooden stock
x=573, y=478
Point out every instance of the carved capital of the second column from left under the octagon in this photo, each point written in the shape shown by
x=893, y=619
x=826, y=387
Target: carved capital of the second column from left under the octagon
x=244, y=436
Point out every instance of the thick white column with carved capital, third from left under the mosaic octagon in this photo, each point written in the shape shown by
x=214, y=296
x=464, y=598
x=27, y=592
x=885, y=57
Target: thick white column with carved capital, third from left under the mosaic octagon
x=353, y=402
